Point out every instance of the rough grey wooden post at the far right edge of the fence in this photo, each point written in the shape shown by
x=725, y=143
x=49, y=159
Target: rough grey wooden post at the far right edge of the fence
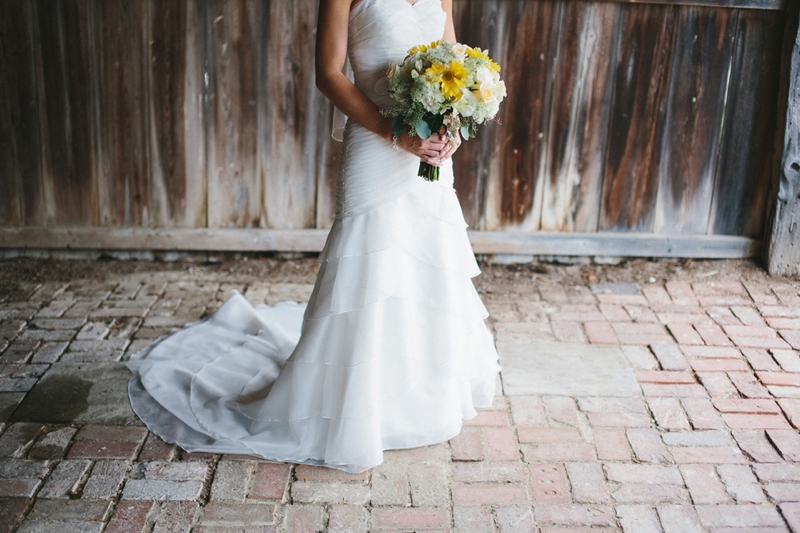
x=783, y=254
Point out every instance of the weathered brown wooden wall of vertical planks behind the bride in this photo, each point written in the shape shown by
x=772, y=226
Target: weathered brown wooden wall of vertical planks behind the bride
x=621, y=117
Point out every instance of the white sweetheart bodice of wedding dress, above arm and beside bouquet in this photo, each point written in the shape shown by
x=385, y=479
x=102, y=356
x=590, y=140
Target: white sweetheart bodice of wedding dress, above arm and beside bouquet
x=381, y=32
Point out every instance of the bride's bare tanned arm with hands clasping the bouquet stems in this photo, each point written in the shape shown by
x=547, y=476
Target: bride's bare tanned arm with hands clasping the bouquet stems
x=331, y=51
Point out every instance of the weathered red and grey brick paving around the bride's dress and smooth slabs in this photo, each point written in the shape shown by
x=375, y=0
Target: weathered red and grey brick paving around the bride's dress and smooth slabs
x=710, y=445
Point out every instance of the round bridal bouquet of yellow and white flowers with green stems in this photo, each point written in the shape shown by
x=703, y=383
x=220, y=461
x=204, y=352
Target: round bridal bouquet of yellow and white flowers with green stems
x=443, y=87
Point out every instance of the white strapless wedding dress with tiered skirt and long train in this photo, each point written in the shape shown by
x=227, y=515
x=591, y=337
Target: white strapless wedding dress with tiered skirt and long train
x=394, y=351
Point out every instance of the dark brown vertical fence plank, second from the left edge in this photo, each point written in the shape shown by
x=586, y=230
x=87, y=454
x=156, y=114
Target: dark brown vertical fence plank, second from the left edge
x=68, y=147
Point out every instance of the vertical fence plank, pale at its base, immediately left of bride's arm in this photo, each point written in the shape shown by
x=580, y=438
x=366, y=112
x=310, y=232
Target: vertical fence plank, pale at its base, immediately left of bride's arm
x=290, y=113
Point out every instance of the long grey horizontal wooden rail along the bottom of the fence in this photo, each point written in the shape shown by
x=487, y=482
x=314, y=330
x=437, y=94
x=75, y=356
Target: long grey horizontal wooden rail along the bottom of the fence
x=312, y=240
